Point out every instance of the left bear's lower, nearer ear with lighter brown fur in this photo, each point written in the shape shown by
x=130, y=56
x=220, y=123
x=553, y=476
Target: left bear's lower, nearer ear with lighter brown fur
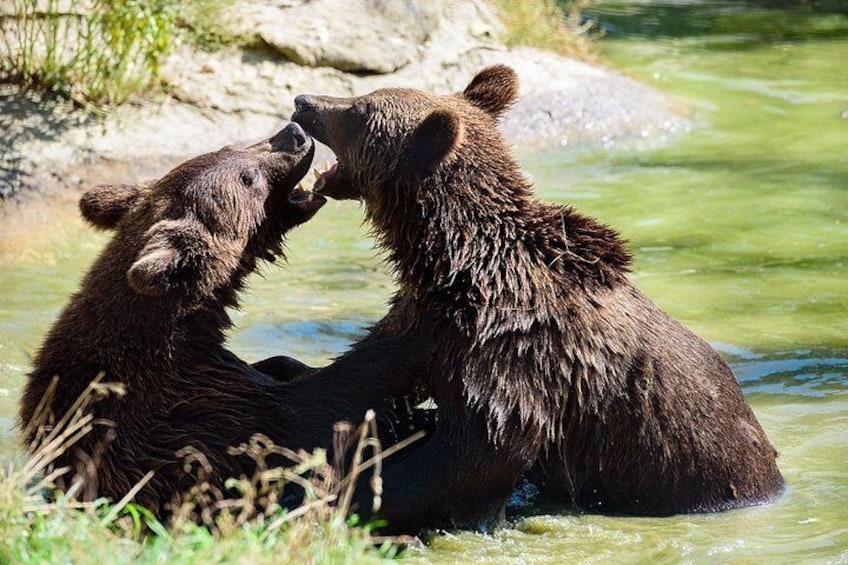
x=178, y=251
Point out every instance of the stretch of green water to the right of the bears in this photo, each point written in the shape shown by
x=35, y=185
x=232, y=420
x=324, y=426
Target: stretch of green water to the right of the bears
x=740, y=229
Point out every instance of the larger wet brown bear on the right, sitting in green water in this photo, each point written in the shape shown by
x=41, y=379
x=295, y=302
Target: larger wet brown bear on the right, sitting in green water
x=546, y=356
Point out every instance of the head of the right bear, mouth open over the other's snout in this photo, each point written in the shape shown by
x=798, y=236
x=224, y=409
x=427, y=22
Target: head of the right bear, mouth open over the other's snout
x=393, y=139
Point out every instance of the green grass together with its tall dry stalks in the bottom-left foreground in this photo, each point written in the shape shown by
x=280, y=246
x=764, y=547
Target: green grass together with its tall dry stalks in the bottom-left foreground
x=208, y=527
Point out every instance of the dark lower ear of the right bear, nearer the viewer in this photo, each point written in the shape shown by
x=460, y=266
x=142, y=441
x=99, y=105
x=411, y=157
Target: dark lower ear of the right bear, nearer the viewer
x=432, y=141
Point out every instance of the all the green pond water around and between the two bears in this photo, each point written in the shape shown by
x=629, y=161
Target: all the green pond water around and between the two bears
x=740, y=230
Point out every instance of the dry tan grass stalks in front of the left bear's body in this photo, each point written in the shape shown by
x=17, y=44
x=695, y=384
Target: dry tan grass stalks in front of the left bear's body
x=240, y=505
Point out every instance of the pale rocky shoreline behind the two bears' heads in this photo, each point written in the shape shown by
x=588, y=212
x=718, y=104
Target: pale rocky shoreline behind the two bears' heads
x=322, y=46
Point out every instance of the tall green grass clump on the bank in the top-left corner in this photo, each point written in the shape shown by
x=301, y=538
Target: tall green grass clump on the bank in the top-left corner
x=103, y=52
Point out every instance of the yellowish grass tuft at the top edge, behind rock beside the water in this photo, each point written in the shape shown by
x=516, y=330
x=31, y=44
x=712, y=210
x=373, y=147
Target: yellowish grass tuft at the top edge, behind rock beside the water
x=548, y=25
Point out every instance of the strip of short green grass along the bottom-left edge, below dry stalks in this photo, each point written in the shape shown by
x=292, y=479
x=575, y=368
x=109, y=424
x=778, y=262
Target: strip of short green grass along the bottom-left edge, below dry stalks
x=35, y=531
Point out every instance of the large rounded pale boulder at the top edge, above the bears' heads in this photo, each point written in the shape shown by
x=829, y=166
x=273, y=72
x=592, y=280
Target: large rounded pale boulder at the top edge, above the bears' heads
x=371, y=36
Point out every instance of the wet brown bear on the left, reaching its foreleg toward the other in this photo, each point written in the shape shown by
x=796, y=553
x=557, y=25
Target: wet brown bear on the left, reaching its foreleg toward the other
x=151, y=315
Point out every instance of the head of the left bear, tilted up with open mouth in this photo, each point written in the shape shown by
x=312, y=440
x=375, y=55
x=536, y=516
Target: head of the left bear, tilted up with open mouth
x=202, y=226
